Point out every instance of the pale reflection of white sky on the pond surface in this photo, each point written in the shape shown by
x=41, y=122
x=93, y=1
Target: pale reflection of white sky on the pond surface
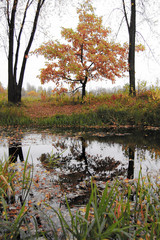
x=45, y=143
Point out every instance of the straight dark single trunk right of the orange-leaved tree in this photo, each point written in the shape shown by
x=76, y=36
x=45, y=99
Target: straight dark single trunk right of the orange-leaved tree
x=131, y=58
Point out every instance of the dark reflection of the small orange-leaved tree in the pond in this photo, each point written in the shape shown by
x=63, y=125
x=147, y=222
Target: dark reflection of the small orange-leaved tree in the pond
x=78, y=167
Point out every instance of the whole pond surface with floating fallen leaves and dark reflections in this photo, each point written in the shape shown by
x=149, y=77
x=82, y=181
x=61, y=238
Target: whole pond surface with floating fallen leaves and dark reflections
x=65, y=162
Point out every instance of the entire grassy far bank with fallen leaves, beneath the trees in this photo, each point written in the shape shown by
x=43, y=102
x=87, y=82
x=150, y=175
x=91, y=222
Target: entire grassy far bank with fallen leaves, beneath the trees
x=103, y=110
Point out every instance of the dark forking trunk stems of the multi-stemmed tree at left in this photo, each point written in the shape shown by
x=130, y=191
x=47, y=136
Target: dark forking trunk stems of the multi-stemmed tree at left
x=14, y=86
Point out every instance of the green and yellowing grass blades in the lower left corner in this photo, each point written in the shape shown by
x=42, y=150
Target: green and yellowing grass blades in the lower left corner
x=12, y=227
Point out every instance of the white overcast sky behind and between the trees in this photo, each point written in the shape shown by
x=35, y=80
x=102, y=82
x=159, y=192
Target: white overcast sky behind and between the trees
x=147, y=66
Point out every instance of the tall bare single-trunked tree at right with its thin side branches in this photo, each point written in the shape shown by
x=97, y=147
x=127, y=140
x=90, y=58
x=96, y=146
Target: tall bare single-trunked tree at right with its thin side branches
x=143, y=11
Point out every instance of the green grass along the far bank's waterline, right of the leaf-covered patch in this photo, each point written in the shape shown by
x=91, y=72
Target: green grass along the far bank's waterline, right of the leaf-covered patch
x=105, y=116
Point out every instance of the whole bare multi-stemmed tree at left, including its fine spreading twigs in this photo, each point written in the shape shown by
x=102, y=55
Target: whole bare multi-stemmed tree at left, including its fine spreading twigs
x=19, y=22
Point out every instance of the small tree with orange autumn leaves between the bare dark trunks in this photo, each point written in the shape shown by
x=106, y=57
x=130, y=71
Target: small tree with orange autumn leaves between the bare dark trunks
x=89, y=55
